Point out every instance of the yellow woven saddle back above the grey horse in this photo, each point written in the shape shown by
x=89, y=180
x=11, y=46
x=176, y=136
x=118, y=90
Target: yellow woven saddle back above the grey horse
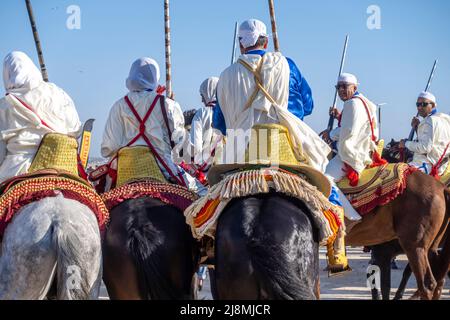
x=56, y=151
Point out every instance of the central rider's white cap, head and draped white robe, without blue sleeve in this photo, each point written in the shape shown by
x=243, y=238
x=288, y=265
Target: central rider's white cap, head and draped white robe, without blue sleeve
x=235, y=88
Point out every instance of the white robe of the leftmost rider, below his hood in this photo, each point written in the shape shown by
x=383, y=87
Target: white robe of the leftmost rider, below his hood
x=21, y=130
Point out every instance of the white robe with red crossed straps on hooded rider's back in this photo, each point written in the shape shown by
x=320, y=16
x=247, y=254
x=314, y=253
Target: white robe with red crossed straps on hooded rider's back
x=122, y=126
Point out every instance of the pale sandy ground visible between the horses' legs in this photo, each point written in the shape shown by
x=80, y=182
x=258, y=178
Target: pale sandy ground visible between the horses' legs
x=350, y=286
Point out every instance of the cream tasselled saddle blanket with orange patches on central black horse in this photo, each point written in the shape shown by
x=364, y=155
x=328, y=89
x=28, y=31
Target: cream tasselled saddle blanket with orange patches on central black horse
x=203, y=214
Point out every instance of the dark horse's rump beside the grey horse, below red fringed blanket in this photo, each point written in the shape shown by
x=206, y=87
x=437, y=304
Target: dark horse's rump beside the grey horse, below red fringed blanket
x=149, y=252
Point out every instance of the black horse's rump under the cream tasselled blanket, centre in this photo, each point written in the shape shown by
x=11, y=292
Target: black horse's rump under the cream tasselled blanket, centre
x=266, y=248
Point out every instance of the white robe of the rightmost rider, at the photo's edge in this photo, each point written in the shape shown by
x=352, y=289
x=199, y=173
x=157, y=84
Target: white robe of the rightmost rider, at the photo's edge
x=433, y=135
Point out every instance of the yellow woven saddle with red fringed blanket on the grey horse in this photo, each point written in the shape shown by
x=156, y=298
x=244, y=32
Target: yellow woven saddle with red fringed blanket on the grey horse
x=54, y=171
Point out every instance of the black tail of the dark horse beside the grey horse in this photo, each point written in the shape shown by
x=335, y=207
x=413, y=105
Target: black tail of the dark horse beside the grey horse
x=144, y=243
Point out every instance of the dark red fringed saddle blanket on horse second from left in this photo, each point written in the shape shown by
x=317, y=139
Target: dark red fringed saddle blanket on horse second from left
x=175, y=195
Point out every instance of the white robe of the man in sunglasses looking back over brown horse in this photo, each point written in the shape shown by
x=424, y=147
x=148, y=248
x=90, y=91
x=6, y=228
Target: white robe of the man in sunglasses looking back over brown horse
x=354, y=136
